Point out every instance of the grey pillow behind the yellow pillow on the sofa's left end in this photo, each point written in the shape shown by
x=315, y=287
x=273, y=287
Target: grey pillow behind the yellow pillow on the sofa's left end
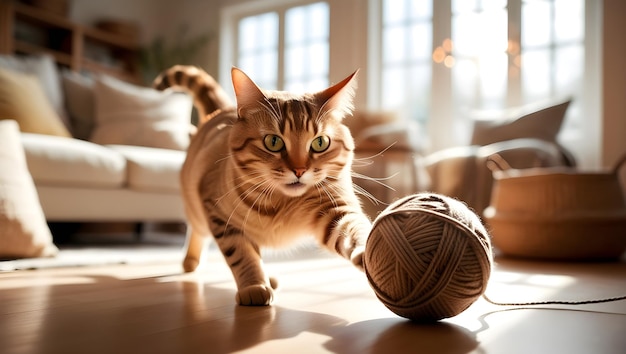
x=44, y=68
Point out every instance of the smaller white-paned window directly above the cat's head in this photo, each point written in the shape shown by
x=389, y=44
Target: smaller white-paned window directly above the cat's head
x=286, y=49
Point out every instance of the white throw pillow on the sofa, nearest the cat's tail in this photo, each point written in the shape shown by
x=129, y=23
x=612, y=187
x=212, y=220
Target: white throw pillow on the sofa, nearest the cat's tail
x=127, y=114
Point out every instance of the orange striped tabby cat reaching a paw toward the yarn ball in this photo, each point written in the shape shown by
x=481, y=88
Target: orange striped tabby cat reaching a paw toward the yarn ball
x=272, y=170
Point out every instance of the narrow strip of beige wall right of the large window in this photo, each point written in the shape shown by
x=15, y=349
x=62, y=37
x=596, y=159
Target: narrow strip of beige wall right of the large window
x=614, y=84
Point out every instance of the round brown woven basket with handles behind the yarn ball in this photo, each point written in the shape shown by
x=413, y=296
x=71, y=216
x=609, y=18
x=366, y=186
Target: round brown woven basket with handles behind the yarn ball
x=557, y=213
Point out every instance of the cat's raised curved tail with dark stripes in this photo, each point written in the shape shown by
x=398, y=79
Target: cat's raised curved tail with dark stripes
x=208, y=95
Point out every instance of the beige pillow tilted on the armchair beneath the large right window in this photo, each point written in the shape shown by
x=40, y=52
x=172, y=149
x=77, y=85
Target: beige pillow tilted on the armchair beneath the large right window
x=525, y=122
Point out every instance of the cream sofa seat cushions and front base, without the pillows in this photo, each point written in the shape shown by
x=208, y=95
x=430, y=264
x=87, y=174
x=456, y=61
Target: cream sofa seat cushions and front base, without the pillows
x=82, y=181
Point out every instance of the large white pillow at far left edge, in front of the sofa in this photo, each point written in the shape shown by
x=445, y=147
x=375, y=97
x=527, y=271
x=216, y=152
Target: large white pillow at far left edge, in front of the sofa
x=23, y=228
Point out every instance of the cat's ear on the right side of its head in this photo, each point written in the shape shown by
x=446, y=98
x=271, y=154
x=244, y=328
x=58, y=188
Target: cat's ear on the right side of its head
x=337, y=100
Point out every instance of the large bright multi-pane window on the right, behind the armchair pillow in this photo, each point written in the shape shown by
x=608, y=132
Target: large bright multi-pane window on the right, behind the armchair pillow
x=497, y=54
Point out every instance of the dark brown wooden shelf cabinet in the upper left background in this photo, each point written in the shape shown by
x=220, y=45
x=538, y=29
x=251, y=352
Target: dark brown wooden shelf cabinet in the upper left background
x=26, y=29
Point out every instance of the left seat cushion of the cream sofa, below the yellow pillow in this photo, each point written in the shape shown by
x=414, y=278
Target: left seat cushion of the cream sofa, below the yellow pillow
x=72, y=162
